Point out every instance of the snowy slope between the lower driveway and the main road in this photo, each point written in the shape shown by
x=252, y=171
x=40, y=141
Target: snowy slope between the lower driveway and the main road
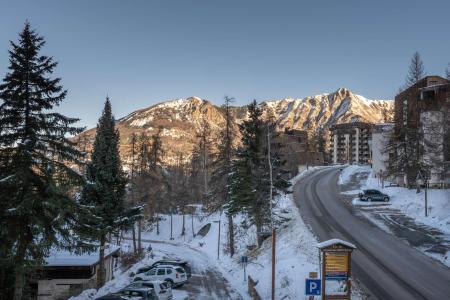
x=297, y=254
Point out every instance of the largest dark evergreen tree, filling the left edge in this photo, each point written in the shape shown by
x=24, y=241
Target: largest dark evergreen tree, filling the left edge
x=36, y=207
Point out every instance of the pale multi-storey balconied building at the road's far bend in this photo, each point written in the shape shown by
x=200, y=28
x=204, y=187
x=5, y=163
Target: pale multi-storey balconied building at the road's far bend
x=351, y=143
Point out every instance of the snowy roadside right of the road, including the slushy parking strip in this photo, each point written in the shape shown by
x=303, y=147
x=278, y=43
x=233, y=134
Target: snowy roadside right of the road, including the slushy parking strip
x=404, y=214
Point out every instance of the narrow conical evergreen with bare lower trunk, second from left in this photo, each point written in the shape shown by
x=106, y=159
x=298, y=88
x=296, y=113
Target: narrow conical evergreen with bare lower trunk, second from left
x=105, y=190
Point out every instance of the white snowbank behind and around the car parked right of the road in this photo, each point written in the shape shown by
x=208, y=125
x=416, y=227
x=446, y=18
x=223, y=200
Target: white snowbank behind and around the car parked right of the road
x=407, y=201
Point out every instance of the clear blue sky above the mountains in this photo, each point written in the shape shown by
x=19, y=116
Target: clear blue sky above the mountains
x=143, y=52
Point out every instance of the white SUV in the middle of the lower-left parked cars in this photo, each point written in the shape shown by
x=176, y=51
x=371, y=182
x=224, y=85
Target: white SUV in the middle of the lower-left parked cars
x=174, y=275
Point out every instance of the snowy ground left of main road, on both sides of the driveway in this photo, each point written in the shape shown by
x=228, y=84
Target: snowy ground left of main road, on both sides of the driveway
x=296, y=255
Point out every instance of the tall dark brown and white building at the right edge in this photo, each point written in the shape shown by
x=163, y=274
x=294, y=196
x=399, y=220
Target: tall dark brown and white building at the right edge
x=422, y=114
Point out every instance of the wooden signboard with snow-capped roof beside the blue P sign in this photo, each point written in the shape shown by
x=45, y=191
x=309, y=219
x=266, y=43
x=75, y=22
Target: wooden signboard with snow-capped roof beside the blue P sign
x=336, y=269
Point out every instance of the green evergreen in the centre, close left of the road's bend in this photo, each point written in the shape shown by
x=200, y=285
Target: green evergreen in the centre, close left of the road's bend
x=251, y=182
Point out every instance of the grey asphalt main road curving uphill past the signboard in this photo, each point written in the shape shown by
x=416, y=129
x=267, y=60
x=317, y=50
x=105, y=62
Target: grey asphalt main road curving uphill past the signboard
x=384, y=266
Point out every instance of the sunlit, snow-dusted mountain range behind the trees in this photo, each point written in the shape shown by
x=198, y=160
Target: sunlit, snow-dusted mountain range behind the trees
x=181, y=119
